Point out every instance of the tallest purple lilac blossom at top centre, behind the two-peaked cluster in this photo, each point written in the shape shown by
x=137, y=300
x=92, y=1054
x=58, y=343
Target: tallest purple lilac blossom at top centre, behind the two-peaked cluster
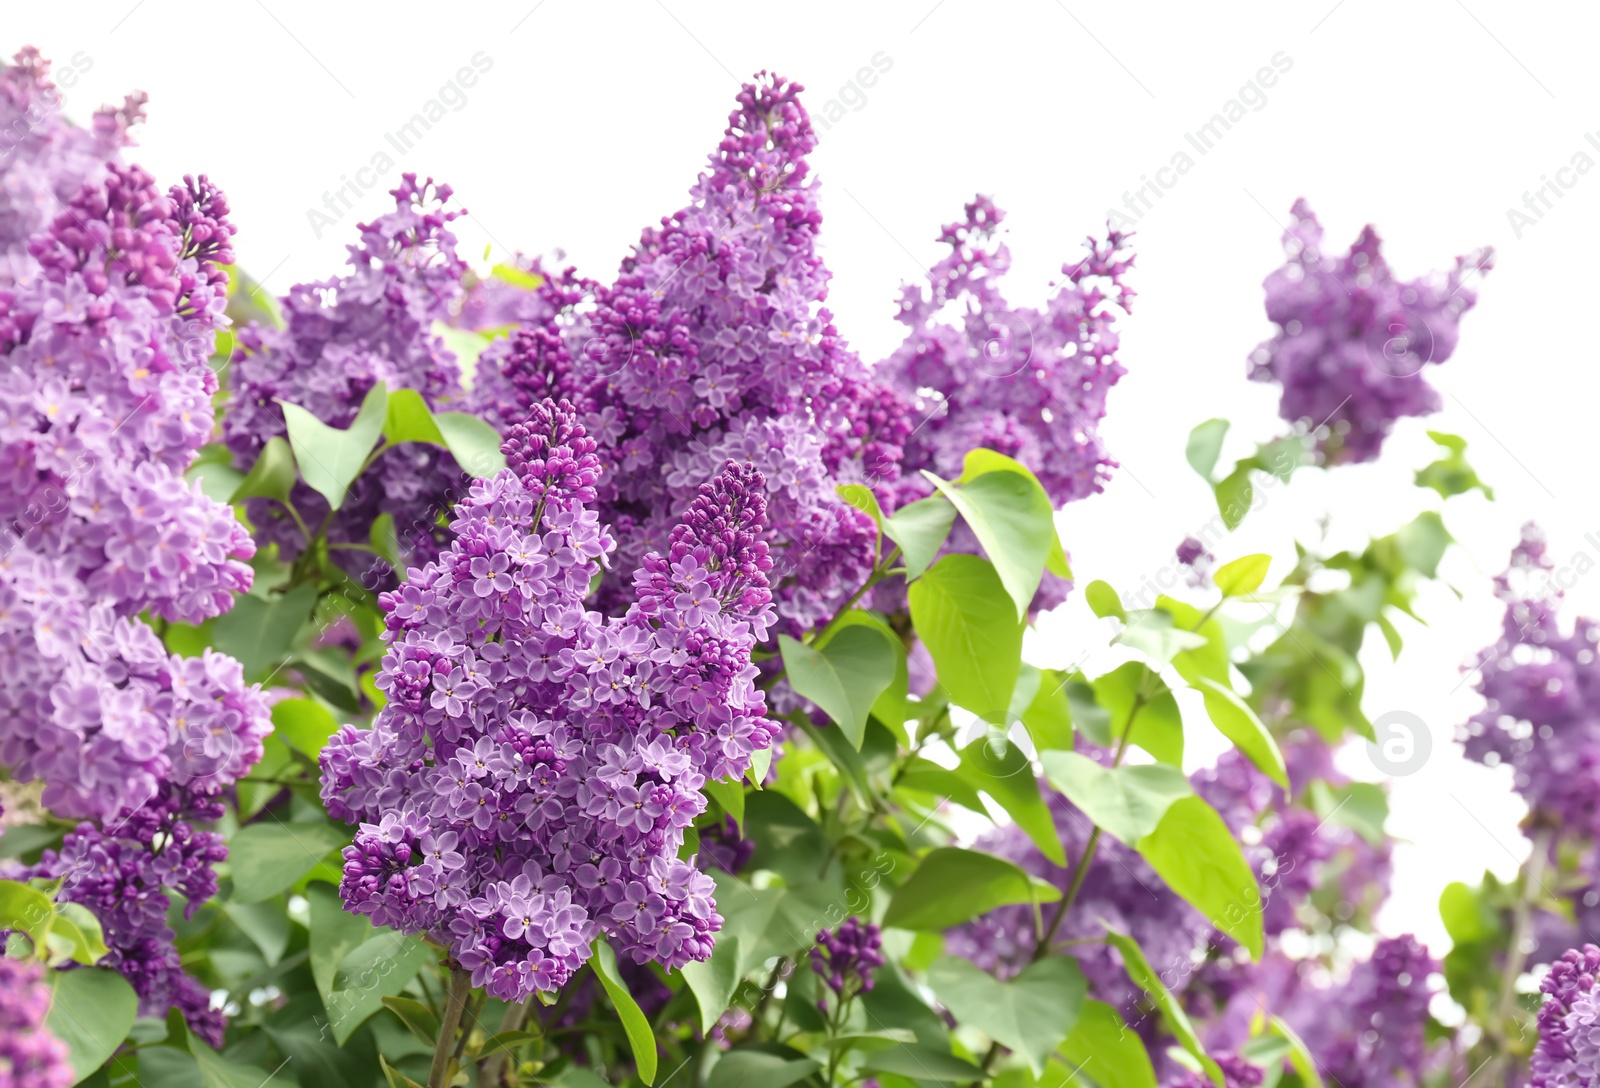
x=714, y=345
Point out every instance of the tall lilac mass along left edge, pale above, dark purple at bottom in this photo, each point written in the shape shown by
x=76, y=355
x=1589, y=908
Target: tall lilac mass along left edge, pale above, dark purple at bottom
x=105, y=402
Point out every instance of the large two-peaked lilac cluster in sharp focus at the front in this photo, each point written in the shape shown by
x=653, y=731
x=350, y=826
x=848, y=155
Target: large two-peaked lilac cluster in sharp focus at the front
x=530, y=780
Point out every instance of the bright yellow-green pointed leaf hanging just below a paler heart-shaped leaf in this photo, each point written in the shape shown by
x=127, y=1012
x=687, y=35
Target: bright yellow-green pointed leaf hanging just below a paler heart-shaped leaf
x=1198, y=857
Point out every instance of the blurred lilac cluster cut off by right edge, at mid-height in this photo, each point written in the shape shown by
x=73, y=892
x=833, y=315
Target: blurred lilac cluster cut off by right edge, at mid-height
x=1540, y=690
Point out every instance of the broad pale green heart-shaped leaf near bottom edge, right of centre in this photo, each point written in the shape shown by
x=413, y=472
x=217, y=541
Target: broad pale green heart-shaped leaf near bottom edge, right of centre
x=1031, y=1014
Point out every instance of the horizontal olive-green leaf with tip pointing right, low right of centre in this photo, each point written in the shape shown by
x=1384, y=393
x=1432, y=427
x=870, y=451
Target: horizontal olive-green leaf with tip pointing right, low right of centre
x=956, y=886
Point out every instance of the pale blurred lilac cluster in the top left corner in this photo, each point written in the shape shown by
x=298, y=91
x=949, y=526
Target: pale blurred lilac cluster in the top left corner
x=44, y=158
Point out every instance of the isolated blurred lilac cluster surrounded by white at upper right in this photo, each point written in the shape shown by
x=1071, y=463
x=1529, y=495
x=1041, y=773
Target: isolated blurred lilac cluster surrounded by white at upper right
x=1353, y=340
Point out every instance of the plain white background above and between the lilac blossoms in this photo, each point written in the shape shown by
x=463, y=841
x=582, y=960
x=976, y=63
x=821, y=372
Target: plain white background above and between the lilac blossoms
x=1428, y=119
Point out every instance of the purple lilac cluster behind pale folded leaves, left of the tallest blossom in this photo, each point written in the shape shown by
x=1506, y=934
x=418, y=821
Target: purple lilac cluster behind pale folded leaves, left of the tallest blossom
x=343, y=337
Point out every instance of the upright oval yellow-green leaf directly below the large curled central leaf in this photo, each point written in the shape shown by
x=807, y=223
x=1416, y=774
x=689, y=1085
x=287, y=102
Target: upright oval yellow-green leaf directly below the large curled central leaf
x=967, y=623
